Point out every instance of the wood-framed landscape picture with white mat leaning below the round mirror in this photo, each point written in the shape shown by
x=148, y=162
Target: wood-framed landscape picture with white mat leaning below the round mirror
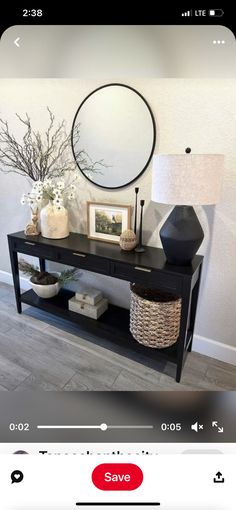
x=106, y=222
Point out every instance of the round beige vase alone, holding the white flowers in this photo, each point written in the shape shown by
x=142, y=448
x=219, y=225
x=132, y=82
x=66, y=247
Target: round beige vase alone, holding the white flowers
x=54, y=222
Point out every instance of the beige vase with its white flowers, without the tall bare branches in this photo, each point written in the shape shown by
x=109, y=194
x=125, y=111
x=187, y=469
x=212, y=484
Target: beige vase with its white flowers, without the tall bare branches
x=52, y=196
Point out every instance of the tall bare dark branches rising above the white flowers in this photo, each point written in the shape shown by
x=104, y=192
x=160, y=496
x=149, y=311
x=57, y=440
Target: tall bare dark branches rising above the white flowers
x=40, y=156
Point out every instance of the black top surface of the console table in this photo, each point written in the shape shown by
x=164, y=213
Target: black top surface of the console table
x=152, y=258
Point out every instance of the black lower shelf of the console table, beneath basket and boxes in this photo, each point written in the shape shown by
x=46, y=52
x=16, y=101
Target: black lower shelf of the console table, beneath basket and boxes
x=114, y=322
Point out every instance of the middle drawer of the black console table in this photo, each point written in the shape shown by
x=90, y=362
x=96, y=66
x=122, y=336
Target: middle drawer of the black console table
x=84, y=261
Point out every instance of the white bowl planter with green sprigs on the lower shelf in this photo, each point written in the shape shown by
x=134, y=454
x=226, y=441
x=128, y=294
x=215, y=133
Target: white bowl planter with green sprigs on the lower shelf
x=45, y=284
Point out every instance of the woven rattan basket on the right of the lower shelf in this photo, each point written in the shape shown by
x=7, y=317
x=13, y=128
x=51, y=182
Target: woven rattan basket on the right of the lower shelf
x=154, y=317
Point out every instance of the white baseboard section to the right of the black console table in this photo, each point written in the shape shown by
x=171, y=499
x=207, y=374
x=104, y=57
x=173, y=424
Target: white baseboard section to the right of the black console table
x=217, y=350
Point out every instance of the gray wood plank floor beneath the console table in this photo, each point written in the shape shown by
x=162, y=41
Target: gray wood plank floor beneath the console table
x=41, y=352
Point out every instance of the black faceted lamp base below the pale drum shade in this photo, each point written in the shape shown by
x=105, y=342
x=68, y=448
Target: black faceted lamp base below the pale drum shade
x=181, y=235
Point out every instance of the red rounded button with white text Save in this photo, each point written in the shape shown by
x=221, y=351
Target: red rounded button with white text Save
x=117, y=477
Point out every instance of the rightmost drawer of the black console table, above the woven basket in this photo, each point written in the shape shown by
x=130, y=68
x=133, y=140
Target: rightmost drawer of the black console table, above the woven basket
x=148, y=277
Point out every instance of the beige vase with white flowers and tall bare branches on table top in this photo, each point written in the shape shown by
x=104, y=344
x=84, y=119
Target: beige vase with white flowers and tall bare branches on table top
x=46, y=159
